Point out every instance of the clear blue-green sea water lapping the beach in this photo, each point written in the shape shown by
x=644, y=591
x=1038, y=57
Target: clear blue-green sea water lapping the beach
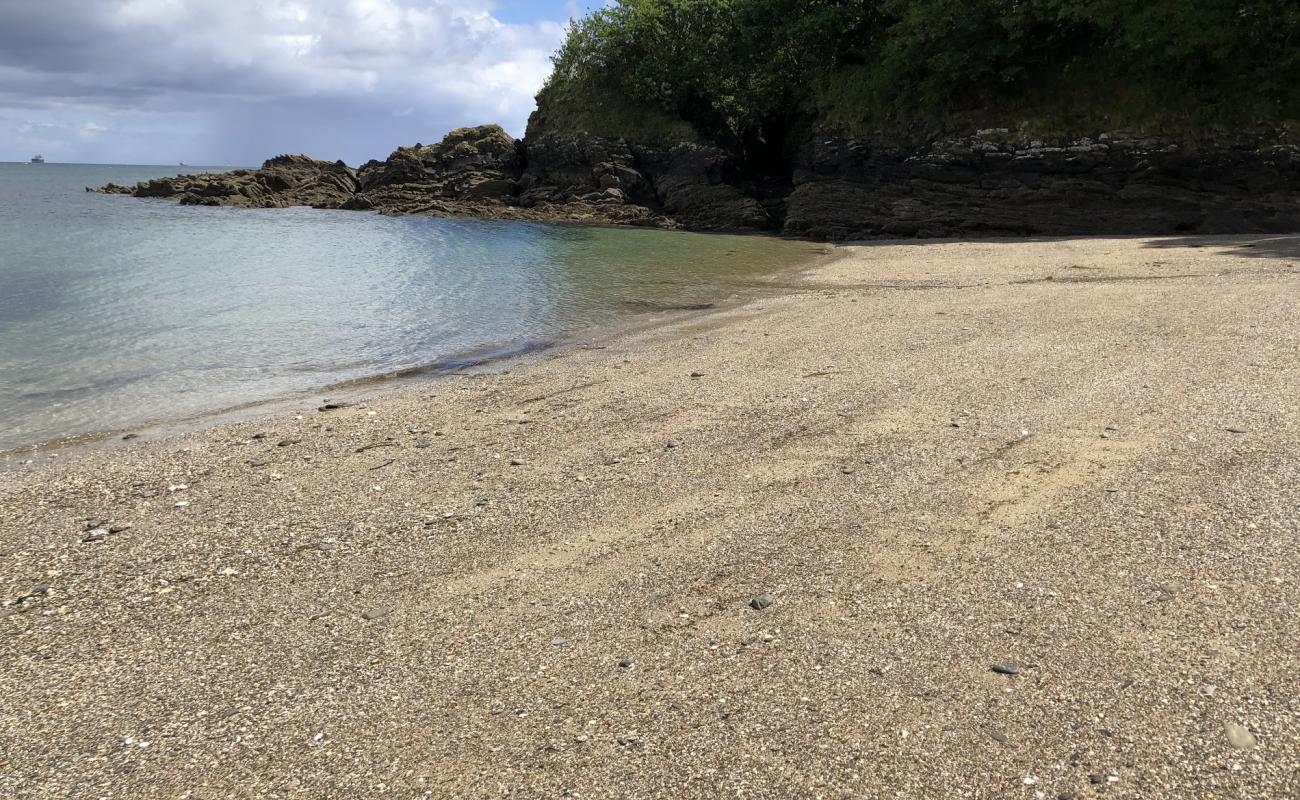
x=118, y=312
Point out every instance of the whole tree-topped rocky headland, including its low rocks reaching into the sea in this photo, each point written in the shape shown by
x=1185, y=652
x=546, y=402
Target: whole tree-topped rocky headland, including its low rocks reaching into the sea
x=851, y=120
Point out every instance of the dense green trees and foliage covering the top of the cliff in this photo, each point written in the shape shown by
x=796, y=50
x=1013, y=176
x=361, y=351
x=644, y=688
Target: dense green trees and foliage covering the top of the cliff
x=760, y=73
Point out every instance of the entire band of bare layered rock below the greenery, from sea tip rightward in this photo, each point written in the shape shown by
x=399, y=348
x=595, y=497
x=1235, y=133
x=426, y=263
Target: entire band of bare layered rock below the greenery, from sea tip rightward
x=986, y=184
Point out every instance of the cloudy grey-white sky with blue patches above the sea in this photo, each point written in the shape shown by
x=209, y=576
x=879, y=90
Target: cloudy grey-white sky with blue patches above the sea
x=235, y=83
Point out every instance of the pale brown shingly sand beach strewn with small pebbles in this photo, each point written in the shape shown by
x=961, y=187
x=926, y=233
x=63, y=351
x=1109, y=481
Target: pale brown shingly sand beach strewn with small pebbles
x=948, y=520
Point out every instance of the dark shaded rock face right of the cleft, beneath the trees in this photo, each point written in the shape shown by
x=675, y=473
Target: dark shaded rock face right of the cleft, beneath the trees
x=991, y=184
